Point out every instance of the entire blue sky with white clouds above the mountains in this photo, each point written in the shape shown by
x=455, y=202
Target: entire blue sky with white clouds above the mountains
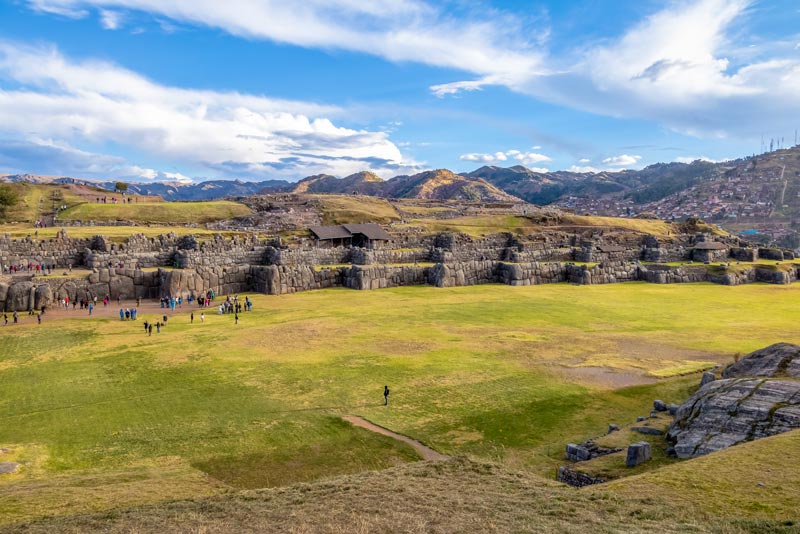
x=191, y=90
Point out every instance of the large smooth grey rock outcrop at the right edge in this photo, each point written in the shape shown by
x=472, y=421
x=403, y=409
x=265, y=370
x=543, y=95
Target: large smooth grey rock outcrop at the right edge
x=757, y=397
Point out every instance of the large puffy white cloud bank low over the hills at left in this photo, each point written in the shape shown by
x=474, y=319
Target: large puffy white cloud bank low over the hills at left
x=45, y=93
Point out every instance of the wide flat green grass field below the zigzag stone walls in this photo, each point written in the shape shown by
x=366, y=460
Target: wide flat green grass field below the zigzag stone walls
x=94, y=408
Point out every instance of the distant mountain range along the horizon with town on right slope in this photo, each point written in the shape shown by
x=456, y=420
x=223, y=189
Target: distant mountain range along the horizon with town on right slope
x=770, y=180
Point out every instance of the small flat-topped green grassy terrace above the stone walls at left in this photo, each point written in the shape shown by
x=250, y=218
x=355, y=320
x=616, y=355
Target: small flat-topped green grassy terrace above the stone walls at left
x=157, y=212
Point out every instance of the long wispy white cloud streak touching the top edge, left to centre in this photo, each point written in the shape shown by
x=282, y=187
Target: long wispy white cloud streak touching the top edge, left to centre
x=492, y=44
